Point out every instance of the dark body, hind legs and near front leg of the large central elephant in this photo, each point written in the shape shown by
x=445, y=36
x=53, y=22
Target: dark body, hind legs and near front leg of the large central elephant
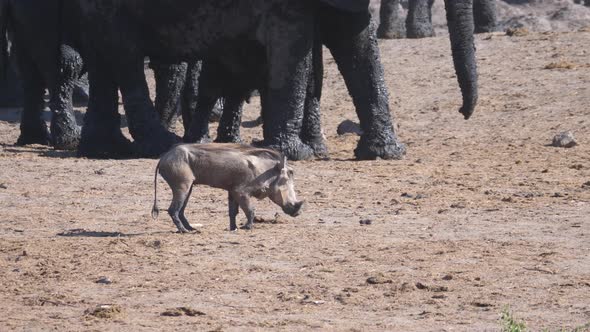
x=123, y=32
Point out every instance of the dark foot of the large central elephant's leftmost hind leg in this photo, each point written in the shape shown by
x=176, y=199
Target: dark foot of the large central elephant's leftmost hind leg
x=105, y=146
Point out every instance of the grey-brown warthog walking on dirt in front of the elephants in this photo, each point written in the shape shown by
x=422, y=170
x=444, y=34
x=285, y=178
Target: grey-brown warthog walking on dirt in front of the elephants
x=242, y=170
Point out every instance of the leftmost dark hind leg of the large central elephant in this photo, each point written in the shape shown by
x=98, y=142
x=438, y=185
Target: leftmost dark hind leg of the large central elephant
x=101, y=133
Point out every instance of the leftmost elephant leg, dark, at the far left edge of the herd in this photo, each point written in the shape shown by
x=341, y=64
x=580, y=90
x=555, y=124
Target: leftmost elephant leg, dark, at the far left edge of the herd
x=33, y=129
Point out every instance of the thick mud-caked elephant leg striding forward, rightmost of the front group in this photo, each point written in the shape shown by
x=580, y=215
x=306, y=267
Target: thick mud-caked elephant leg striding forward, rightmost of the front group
x=352, y=41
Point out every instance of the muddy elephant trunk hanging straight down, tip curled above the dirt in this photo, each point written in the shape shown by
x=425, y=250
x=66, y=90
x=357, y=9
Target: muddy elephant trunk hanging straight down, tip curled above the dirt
x=461, y=27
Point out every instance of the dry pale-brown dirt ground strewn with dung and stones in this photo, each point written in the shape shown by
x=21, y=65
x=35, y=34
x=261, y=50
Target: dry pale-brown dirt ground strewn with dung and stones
x=480, y=215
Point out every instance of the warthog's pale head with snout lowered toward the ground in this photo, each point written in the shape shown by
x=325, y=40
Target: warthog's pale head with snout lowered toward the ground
x=282, y=189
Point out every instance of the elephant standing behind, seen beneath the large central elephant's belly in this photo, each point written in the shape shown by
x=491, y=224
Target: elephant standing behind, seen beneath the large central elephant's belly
x=236, y=83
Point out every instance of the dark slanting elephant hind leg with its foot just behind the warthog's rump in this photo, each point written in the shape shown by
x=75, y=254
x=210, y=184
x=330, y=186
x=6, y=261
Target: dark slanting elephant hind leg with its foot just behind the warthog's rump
x=150, y=138
